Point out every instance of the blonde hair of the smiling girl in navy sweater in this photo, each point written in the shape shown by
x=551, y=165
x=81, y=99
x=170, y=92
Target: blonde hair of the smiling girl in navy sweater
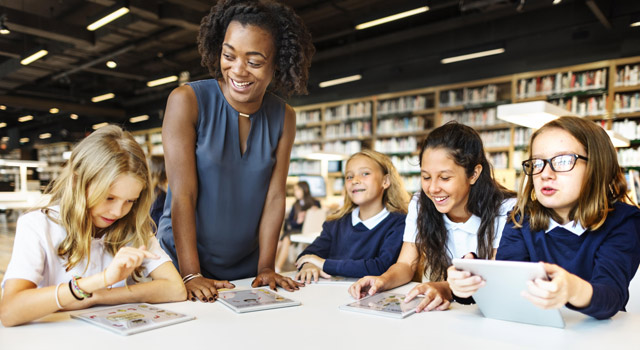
x=395, y=198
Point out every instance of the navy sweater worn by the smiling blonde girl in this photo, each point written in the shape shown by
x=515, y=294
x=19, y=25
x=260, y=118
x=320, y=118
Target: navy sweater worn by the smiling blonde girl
x=356, y=251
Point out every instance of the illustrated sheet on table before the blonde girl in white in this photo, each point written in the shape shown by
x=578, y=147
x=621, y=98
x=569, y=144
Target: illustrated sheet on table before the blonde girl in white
x=131, y=318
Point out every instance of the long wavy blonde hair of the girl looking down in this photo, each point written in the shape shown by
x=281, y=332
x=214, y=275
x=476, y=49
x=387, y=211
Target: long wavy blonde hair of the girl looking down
x=85, y=181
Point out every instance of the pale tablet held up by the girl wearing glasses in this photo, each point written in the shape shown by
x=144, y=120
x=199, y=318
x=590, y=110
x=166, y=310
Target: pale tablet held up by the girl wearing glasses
x=500, y=298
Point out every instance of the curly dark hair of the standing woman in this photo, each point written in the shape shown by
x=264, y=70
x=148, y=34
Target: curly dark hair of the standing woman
x=294, y=47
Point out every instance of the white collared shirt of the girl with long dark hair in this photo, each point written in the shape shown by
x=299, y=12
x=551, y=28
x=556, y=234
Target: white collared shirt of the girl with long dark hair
x=462, y=237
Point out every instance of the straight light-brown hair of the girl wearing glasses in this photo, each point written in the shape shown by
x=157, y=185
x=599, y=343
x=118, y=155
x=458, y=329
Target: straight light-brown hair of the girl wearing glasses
x=603, y=183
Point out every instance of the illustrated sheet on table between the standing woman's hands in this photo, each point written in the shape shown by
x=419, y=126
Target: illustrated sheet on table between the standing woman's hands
x=254, y=300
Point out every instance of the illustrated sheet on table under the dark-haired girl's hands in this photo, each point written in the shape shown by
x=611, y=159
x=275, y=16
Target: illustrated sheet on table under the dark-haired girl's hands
x=384, y=304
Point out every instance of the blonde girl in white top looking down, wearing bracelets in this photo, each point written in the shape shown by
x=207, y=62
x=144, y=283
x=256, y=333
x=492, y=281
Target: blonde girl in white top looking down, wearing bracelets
x=94, y=233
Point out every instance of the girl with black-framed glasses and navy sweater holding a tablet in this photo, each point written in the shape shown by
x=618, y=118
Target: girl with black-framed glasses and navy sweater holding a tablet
x=571, y=216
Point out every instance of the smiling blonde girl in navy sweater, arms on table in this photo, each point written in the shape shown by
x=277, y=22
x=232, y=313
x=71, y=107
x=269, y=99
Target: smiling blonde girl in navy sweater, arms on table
x=365, y=236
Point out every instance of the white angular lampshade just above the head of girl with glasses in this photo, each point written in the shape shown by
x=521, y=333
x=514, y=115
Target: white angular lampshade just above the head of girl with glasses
x=531, y=114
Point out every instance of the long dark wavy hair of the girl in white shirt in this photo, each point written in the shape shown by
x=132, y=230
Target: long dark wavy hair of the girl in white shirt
x=485, y=198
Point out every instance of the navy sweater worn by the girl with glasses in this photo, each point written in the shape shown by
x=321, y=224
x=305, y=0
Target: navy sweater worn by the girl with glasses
x=608, y=257
